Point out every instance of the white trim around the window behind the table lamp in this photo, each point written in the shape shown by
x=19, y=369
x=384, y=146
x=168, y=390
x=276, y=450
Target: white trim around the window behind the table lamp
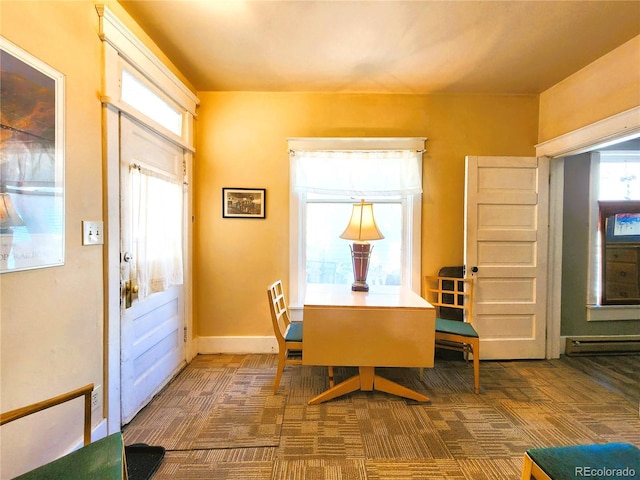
x=297, y=212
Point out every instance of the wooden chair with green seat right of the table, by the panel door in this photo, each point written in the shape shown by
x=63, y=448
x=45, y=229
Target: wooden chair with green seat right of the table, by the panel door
x=457, y=294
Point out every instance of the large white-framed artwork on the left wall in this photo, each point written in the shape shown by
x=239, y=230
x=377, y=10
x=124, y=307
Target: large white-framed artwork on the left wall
x=32, y=162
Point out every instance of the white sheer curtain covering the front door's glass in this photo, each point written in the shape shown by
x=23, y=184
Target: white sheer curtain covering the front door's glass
x=156, y=230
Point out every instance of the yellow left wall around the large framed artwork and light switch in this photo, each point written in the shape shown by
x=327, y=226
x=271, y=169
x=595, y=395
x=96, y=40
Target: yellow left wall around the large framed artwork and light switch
x=52, y=320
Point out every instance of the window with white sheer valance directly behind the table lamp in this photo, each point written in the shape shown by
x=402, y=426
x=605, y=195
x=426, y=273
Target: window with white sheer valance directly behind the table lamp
x=325, y=183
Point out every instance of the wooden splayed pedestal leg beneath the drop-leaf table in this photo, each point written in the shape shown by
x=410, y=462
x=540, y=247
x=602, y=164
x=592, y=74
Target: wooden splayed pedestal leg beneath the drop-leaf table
x=367, y=380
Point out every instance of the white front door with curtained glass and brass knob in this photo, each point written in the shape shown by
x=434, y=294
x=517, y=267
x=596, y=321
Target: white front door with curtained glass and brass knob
x=151, y=225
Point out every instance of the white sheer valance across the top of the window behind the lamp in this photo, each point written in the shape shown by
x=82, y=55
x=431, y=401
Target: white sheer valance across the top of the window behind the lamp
x=358, y=172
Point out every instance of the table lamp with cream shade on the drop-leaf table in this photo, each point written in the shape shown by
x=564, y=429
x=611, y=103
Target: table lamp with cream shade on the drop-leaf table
x=361, y=228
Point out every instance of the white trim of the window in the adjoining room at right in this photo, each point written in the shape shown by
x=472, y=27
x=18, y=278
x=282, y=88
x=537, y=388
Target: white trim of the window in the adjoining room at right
x=595, y=311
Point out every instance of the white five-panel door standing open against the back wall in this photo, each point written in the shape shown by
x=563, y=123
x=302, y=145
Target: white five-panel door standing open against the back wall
x=506, y=228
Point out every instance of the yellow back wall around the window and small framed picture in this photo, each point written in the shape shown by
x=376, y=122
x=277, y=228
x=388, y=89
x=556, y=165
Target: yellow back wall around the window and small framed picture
x=242, y=143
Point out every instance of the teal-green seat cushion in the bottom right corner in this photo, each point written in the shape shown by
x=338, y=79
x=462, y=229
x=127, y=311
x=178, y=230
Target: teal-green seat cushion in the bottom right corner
x=604, y=461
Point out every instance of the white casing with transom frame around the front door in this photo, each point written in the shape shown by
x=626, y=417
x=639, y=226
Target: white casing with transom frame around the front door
x=122, y=49
